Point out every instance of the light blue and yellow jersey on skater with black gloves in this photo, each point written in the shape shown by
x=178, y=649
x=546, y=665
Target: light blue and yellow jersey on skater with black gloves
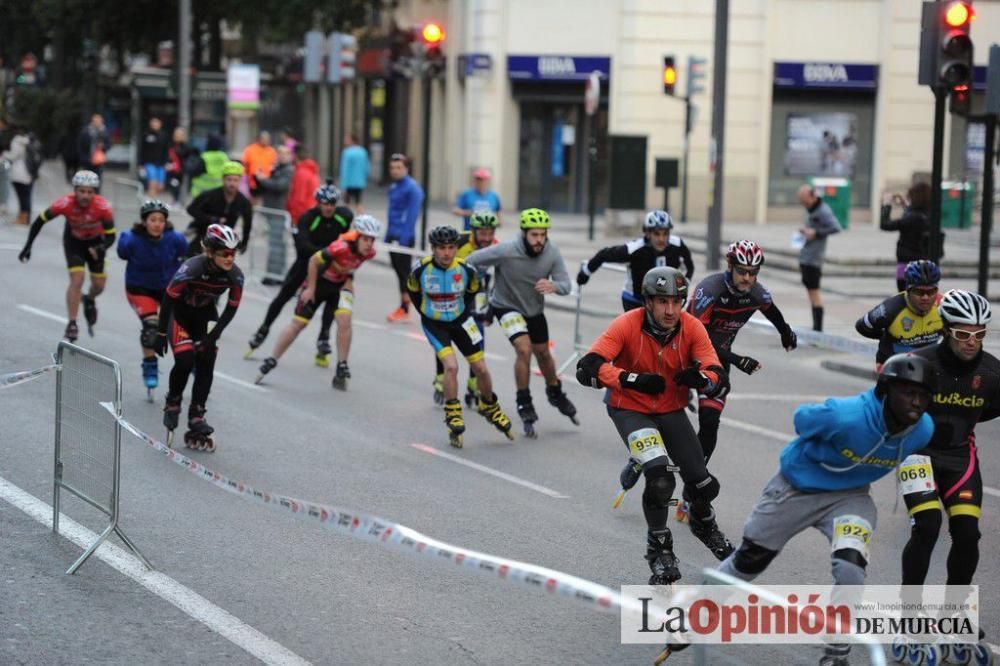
x=443, y=294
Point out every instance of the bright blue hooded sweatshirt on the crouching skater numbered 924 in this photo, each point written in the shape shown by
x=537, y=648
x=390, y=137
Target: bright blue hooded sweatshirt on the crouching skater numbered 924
x=844, y=443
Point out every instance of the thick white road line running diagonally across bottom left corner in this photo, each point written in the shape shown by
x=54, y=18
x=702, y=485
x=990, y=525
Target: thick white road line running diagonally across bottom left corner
x=186, y=600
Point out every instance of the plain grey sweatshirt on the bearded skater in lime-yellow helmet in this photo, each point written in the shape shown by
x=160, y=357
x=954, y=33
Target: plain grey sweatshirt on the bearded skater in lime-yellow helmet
x=517, y=273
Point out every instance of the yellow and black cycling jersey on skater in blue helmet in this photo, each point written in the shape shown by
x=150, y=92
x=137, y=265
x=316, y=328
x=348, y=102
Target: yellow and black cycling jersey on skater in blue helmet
x=898, y=328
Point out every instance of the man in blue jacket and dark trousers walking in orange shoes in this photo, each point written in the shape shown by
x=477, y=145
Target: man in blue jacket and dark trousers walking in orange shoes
x=406, y=199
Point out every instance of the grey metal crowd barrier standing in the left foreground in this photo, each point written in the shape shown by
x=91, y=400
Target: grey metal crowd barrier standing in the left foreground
x=88, y=439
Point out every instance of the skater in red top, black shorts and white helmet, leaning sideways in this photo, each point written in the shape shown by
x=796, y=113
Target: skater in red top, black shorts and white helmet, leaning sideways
x=329, y=273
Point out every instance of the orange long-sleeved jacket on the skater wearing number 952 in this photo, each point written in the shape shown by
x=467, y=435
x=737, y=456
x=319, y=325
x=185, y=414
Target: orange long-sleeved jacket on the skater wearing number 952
x=627, y=347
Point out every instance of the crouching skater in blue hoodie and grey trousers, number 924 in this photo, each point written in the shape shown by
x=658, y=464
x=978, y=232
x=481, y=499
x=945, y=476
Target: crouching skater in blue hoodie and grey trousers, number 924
x=843, y=445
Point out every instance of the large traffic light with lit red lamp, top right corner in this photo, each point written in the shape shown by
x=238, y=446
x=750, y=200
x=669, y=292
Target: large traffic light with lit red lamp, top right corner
x=946, y=47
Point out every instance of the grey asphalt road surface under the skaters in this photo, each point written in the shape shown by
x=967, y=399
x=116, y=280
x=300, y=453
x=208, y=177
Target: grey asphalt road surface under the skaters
x=328, y=599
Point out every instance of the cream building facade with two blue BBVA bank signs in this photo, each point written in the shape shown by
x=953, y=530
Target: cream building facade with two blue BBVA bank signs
x=814, y=88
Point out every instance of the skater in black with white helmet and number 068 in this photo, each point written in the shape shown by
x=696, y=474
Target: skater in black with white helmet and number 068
x=968, y=393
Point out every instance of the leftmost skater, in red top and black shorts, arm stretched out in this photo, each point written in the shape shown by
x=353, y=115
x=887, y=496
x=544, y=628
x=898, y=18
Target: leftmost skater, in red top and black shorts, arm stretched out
x=89, y=232
